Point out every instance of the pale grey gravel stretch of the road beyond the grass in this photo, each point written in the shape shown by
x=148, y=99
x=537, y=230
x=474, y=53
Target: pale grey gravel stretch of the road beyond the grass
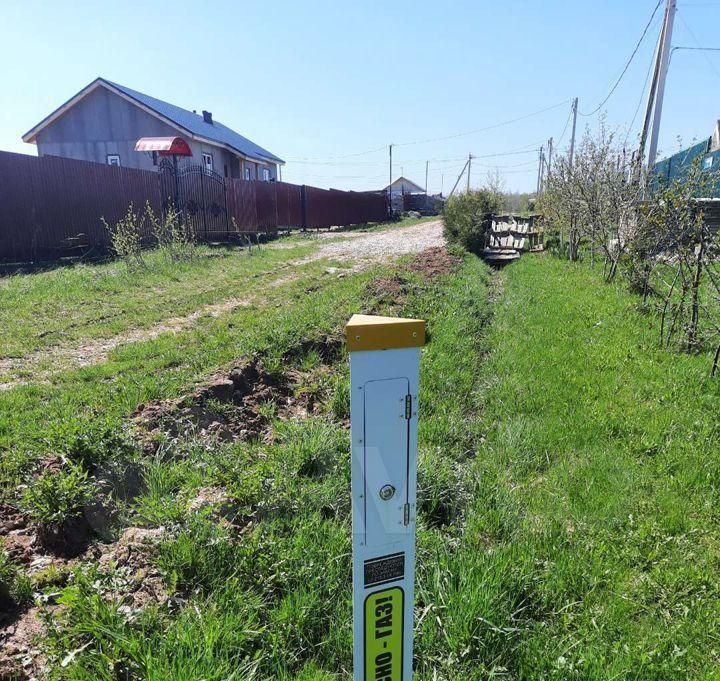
x=368, y=249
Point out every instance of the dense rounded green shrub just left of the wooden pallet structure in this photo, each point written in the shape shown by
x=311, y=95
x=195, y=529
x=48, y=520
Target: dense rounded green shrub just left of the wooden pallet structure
x=466, y=217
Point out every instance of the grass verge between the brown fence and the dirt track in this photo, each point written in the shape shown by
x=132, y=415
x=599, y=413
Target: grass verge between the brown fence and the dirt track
x=70, y=303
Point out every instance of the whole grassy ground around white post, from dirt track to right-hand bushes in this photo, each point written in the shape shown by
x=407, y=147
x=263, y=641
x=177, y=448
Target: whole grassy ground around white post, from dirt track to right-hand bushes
x=568, y=480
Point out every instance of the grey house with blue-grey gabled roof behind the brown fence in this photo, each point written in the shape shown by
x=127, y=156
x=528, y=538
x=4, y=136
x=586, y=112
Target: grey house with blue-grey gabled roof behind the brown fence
x=104, y=121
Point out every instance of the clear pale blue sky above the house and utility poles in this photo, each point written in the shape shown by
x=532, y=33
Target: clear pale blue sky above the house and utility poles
x=317, y=82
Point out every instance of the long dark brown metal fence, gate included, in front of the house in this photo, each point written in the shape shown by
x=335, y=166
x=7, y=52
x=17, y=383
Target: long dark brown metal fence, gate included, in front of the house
x=52, y=207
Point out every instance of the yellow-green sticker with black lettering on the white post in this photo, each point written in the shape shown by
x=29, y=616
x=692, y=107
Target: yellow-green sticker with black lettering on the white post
x=384, y=635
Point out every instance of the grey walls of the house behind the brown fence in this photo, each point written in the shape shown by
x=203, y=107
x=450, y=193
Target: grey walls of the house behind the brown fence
x=103, y=123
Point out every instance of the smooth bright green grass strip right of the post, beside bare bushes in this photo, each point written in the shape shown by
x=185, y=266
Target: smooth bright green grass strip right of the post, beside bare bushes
x=601, y=455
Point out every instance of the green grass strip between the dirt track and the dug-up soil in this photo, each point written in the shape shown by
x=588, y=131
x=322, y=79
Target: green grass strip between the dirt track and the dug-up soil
x=81, y=412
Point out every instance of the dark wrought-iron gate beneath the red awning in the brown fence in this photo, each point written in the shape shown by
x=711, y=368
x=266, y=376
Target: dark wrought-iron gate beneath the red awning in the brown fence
x=199, y=195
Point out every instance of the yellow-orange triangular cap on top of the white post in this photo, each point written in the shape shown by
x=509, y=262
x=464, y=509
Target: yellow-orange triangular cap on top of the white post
x=372, y=332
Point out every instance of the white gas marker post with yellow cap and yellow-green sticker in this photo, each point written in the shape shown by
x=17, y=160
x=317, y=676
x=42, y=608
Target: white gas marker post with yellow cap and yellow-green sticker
x=384, y=379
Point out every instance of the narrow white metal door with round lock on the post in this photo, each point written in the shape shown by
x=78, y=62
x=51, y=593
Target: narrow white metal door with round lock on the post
x=386, y=461
